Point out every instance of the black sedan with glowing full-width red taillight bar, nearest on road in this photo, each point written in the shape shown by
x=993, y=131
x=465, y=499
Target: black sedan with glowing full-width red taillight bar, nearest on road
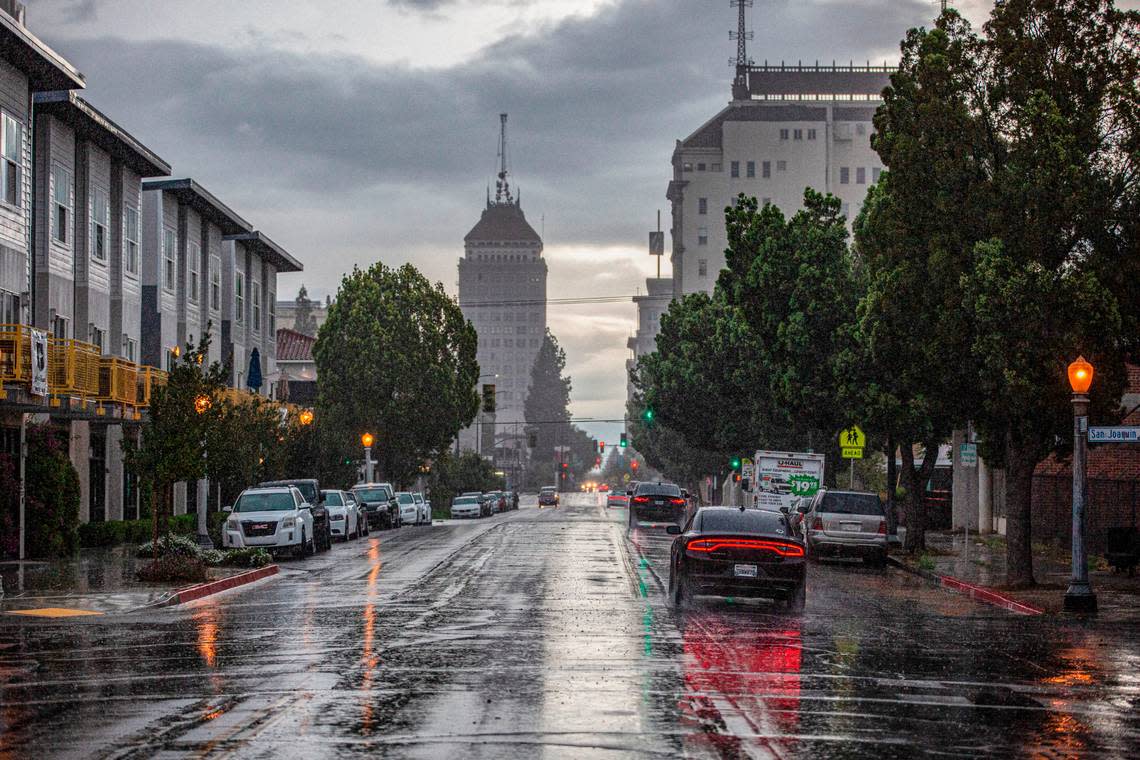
x=740, y=553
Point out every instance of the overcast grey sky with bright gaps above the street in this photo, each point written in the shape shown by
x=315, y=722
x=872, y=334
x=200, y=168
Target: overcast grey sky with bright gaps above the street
x=365, y=130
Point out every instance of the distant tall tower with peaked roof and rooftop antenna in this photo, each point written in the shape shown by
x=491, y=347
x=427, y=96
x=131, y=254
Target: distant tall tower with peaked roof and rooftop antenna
x=503, y=293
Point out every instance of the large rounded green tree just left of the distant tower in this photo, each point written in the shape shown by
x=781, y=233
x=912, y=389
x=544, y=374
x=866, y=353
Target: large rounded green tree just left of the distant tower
x=396, y=358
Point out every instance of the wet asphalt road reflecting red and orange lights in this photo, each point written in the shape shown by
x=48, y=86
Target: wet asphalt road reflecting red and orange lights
x=547, y=634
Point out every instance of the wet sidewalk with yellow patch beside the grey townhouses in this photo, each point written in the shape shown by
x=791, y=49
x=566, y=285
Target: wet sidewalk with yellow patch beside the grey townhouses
x=99, y=582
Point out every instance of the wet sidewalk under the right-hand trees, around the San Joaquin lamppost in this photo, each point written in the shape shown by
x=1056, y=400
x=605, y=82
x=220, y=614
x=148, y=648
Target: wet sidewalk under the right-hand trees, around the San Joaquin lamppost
x=982, y=562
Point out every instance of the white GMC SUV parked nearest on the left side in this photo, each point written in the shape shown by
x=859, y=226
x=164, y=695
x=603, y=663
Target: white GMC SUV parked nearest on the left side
x=276, y=518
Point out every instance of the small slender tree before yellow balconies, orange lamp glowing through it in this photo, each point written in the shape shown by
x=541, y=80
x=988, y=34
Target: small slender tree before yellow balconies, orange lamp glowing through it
x=172, y=446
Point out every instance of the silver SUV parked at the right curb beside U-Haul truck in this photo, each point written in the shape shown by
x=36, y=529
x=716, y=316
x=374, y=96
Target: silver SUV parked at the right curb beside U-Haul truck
x=845, y=525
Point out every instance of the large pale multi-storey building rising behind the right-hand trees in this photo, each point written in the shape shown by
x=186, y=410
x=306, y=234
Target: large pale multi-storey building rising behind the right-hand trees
x=788, y=128
